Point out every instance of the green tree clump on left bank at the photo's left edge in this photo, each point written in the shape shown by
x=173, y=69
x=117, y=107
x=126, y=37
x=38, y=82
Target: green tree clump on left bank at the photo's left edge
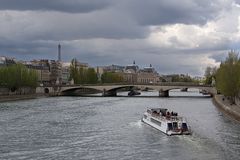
x=16, y=76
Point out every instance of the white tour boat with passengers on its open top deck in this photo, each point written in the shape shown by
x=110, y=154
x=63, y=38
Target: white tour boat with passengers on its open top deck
x=167, y=122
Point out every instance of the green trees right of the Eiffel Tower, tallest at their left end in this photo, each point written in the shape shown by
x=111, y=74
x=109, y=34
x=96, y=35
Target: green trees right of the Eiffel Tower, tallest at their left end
x=82, y=75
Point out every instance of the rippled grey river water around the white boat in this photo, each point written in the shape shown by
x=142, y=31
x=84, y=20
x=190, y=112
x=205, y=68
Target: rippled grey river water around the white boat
x=110, y=128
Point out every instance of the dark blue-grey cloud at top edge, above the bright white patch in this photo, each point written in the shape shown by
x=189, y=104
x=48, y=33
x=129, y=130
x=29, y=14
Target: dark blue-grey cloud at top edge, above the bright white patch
x=160, y=12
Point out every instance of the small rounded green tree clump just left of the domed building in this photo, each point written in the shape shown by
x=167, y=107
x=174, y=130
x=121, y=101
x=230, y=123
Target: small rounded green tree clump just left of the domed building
x=110, y=77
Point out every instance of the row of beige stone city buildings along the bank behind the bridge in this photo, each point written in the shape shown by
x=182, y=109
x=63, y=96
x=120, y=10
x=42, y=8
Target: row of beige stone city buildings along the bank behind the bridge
x=55, y=72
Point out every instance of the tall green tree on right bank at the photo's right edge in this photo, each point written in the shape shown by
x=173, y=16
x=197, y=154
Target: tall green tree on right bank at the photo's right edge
x=228, y=77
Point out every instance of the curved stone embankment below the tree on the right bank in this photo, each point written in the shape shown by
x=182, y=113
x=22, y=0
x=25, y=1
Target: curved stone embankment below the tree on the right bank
x=231, y=110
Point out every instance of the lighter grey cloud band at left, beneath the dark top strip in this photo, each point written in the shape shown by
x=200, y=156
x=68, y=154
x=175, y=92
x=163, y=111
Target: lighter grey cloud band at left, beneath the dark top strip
x=61, y=26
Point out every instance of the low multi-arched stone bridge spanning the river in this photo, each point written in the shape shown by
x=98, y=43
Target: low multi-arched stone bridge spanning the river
x=112, y=89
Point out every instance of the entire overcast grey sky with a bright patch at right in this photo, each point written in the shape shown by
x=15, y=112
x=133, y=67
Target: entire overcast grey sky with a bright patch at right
x=174, y=36
